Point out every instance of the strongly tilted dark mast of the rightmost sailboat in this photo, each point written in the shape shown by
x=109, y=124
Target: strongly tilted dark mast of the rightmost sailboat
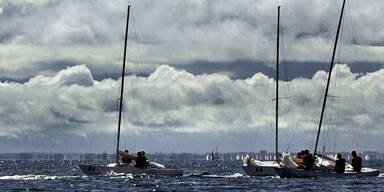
x=329, y=77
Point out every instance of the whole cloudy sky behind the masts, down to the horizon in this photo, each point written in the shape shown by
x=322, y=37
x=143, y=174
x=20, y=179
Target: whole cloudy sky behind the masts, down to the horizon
x=200, y=74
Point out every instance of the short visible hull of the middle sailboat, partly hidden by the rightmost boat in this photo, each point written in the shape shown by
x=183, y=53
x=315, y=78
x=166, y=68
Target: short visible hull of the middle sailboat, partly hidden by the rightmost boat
x=259, y=168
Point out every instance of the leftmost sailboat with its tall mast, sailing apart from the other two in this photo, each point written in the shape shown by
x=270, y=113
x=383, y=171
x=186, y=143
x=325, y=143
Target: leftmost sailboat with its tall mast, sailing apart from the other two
x=120, y=167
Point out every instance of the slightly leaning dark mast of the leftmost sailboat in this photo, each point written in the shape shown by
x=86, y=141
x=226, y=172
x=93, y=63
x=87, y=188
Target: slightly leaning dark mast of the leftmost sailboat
x=122, y=86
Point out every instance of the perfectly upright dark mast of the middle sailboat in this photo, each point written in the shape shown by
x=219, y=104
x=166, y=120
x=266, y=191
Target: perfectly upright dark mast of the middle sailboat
x=277, y=83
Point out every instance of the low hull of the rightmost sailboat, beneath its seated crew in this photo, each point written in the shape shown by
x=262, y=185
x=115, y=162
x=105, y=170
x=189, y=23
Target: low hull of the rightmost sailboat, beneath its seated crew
x=285, y=172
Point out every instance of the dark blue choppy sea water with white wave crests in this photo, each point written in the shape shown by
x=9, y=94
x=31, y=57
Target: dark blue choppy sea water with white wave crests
x=217, y=176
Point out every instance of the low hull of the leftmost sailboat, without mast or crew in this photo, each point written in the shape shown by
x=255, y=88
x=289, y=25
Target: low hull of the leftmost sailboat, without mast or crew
x=127, y=169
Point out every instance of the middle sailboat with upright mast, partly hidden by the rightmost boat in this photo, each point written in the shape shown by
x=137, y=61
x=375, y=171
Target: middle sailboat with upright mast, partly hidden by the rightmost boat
x=255, y=167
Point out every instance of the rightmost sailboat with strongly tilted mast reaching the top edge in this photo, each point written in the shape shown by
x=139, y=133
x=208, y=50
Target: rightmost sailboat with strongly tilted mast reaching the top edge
x=324, y=162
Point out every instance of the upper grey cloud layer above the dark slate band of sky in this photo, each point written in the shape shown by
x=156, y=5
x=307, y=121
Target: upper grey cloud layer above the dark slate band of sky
x=180, y=33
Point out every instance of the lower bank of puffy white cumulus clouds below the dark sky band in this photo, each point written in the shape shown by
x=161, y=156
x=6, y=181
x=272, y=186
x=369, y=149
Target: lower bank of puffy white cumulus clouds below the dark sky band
x=176, y=102
